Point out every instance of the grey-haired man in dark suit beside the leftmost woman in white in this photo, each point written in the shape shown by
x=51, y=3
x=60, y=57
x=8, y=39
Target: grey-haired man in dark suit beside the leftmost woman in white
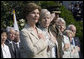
x=9, y=41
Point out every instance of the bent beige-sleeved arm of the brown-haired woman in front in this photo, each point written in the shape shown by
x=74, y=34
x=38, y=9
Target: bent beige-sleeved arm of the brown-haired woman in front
x=28, y=46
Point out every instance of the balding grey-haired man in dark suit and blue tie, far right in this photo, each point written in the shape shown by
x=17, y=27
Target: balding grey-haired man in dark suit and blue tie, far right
x=75, y=40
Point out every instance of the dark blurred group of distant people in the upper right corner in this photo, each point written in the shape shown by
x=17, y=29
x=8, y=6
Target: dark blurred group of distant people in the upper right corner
x=77, y=10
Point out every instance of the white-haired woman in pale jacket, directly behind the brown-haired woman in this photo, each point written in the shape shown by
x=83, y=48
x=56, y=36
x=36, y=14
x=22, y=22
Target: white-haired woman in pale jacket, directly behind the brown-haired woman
x=44, y=22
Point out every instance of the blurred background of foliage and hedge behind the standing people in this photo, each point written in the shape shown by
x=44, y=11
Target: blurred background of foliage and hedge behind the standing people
x=71, y=11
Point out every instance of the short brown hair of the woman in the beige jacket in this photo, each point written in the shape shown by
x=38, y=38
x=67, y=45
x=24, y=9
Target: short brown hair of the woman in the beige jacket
x=29, y=8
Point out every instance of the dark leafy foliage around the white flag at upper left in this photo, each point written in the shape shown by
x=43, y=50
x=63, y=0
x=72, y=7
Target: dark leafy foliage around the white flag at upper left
x=6, y=12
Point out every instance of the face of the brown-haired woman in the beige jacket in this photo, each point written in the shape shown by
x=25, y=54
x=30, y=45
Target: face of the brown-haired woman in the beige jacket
x=33, y=16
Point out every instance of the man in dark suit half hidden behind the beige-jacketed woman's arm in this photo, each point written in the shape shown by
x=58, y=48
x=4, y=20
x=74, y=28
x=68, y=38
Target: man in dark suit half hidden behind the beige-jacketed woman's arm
x=17, y=42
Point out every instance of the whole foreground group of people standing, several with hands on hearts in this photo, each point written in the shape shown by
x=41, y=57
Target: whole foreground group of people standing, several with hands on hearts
x=44, y=35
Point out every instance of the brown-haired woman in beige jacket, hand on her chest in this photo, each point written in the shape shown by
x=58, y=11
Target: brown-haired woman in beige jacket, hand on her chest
x=32, y=39
